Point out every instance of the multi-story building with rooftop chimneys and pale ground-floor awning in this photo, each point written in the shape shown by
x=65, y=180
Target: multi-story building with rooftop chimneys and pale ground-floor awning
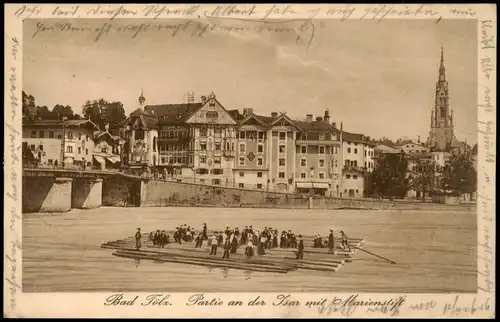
x=318, y=157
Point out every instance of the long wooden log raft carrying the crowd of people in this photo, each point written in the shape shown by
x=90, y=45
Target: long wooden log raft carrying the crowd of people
x=276, y=260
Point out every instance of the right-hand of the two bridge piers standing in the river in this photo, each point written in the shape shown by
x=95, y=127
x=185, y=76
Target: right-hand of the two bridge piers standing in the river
x=86, y=193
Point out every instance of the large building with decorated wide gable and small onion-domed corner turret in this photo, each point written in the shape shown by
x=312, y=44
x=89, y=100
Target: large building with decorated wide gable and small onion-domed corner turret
x=189, y=142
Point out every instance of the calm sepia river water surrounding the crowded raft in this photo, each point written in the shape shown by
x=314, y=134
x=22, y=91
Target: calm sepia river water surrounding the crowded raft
x=433, y=251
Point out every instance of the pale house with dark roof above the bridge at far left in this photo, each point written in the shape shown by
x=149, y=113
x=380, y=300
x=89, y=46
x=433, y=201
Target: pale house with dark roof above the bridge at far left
x=67, y=143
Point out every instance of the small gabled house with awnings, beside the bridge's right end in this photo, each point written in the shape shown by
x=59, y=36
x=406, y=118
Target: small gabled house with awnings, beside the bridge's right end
x=107, y=150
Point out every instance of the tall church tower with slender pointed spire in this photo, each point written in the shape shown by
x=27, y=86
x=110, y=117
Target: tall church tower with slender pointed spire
x=441, y=136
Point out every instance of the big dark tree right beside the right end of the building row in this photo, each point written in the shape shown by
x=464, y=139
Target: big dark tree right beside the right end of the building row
x=389, y=178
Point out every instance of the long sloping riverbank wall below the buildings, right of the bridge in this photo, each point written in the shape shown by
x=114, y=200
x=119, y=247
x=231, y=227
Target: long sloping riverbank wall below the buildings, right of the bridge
x=157, y=193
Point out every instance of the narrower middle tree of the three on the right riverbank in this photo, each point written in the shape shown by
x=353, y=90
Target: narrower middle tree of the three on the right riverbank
x=423, y=177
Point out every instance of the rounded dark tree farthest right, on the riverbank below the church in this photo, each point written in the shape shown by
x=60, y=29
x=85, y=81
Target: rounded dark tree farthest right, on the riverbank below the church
x=459, y=174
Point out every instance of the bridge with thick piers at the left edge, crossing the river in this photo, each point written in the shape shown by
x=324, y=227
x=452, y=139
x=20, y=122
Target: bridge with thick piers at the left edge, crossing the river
x=56, y=189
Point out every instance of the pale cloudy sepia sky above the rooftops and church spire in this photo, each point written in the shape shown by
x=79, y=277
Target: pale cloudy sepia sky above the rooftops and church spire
x=376, y=78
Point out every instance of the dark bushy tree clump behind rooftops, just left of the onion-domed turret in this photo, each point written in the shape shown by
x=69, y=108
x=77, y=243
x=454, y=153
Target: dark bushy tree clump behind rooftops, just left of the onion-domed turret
x=102, y=112
